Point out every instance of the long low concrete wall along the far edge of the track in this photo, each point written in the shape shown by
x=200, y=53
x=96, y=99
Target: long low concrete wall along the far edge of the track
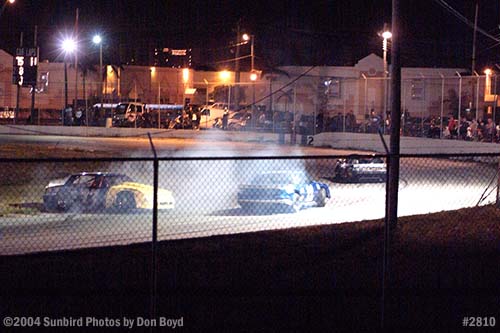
x=354, y=141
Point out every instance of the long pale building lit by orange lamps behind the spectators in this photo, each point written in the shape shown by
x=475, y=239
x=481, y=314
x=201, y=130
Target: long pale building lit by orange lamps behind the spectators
x=299, y=90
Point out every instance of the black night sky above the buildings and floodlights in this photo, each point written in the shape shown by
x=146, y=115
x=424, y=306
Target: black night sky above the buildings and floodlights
x=286, y=32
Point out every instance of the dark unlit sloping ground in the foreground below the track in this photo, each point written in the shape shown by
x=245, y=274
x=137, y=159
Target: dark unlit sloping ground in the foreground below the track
x=443, y=267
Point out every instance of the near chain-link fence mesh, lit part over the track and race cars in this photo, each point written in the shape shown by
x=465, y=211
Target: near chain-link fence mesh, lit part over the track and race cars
x=66, y=204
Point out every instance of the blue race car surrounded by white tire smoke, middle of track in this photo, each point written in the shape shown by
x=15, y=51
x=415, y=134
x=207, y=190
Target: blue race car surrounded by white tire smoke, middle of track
x=290, y=189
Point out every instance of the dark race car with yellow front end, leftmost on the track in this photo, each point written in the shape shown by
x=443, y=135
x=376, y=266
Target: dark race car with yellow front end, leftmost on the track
x=89, y=191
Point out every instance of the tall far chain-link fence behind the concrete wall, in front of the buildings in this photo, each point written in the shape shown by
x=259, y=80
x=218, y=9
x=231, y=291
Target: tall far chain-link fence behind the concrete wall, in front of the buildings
x=309, y=102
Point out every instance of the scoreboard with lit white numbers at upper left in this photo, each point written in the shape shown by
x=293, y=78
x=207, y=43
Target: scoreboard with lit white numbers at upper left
x=25, y=67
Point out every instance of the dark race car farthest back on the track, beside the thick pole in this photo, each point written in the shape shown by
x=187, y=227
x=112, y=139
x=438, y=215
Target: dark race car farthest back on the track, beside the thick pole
x=361, y=169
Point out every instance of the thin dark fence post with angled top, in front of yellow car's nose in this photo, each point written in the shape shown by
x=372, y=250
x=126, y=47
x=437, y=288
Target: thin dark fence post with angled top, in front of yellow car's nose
x=154, y=238
